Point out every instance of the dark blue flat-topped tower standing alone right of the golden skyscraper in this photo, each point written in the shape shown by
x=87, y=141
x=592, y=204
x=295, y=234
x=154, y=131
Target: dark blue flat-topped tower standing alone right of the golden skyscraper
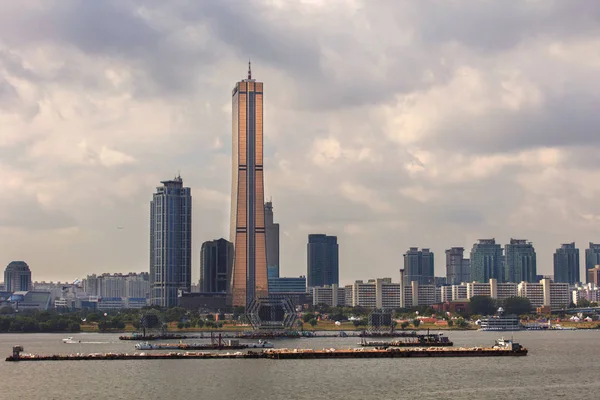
x=322, y=260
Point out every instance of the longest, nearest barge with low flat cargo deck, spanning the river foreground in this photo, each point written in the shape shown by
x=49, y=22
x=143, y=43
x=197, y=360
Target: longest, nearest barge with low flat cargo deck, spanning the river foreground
x=502, y=348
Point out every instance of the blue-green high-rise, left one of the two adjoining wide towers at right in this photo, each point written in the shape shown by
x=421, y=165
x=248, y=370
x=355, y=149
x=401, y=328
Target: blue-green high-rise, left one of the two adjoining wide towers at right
x=487, y=261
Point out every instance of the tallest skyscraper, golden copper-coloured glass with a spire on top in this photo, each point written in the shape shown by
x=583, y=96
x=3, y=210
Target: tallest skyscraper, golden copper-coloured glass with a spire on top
x=249, y=279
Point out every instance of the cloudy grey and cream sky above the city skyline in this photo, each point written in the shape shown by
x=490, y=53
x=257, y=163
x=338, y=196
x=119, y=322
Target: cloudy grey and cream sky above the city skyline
x=389, y=123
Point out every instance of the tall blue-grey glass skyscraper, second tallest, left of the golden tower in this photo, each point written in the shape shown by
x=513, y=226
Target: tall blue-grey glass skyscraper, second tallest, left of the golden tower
x=170, y=242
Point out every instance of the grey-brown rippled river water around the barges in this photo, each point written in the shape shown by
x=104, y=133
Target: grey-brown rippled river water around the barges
x=560, y=364
